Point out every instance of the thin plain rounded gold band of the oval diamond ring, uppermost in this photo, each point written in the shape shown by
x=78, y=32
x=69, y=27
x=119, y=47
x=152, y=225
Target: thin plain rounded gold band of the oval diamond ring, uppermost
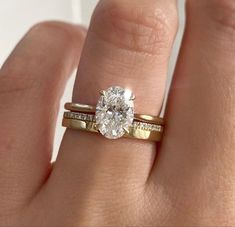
x=77, y=107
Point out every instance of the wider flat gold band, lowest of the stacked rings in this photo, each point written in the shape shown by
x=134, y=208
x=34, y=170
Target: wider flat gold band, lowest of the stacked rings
x=137, y=133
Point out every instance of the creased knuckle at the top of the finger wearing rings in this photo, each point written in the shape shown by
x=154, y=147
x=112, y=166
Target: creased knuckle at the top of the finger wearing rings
x=137, y=28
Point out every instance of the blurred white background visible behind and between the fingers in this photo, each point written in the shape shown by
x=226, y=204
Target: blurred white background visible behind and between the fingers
x=16, y=17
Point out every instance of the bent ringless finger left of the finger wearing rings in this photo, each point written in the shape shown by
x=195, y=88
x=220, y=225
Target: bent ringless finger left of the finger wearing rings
x=31, y=83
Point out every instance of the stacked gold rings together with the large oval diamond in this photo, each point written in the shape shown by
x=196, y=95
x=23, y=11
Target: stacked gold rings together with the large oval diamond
x=113, y=117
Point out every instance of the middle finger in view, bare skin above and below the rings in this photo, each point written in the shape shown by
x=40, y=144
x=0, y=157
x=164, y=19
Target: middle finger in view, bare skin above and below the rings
x=128, y=44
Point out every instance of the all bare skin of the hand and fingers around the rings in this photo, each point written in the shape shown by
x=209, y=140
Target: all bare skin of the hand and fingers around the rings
x=187, y=180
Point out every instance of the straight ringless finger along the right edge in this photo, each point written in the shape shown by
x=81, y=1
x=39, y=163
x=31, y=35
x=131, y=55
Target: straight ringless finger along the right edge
x=198, y=149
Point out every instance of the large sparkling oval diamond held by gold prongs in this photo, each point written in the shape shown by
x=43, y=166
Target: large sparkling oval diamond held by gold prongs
x=115, y=112
